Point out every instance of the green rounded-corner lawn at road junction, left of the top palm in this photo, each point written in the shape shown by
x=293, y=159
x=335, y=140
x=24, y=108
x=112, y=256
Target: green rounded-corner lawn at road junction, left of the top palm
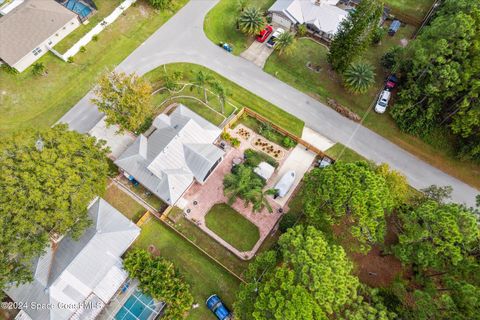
x=220, y=24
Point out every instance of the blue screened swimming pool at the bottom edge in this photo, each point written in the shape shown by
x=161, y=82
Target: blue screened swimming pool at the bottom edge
x=138, y=306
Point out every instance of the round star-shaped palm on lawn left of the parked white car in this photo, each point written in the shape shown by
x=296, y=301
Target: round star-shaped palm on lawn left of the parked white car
x=359, y=77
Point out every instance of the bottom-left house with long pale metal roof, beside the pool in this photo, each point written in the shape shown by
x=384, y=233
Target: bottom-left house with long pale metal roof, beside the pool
x=76, y=279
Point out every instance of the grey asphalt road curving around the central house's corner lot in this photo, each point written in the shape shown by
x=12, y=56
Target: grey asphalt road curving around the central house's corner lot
x=182, y=39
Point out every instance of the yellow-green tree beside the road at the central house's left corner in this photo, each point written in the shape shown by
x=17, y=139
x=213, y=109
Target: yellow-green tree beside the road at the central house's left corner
x=125, y=99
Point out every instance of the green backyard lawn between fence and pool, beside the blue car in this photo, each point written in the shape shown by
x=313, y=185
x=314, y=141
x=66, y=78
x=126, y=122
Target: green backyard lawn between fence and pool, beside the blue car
x=204, y=276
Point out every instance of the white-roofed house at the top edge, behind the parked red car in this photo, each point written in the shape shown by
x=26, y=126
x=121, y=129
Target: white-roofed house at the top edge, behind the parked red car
x=323, y=17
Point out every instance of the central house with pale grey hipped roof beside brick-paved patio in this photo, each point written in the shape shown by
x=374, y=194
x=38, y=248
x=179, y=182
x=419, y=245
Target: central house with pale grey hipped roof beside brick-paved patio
x=179, y=151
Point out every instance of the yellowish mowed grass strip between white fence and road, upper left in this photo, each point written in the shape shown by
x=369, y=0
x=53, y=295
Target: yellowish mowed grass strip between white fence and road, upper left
x=28, y=101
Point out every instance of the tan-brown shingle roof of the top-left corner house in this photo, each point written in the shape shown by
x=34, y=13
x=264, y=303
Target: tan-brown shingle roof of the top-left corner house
x=29, y=25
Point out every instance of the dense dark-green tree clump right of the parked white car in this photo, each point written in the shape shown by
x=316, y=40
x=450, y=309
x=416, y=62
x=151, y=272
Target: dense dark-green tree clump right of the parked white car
x=441, y=79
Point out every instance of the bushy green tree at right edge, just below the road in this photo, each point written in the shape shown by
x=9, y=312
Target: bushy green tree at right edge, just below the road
x=436, y=236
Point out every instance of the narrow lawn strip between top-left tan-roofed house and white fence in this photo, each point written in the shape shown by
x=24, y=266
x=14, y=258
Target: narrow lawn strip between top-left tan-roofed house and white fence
x=104, y=8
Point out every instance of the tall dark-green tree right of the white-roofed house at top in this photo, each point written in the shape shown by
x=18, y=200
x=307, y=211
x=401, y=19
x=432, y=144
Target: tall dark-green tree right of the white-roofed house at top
x=355, y=34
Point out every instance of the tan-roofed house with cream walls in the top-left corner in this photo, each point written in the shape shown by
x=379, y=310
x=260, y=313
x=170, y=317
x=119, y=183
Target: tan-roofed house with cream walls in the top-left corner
x=31, y=28
